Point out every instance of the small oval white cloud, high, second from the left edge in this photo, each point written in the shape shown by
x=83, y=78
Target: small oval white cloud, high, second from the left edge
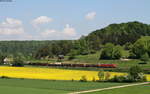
x=41, y=20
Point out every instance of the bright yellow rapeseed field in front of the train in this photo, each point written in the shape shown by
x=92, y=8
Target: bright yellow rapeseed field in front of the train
x=50, y=73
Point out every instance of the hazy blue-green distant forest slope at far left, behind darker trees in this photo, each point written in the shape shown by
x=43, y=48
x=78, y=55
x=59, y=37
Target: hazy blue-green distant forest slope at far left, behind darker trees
x=12, y=47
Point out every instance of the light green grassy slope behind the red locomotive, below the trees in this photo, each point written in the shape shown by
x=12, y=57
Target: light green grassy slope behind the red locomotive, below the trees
x=94, y=58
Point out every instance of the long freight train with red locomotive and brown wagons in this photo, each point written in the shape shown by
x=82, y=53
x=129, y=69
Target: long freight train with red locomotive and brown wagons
x=74, y=65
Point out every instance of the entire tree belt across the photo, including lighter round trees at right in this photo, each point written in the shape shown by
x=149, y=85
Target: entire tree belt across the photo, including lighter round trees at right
x=111, y=40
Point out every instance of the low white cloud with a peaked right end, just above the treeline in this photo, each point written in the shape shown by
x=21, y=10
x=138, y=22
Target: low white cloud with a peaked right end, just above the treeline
x=67, y=33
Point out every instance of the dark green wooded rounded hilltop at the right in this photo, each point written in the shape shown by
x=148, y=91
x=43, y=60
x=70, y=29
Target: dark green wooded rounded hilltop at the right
x=120, y=33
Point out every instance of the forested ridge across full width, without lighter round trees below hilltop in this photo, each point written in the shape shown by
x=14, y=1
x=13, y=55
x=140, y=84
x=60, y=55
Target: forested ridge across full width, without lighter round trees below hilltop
x=114, y=33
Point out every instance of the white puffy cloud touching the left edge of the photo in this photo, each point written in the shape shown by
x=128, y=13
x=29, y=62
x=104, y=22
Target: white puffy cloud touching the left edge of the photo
x=11, y=27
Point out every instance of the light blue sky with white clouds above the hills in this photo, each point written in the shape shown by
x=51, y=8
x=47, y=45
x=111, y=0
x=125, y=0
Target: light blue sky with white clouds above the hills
x=65, y=19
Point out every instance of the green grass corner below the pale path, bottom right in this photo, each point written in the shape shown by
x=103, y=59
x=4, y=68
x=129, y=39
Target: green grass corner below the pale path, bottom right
x=141, y=89
